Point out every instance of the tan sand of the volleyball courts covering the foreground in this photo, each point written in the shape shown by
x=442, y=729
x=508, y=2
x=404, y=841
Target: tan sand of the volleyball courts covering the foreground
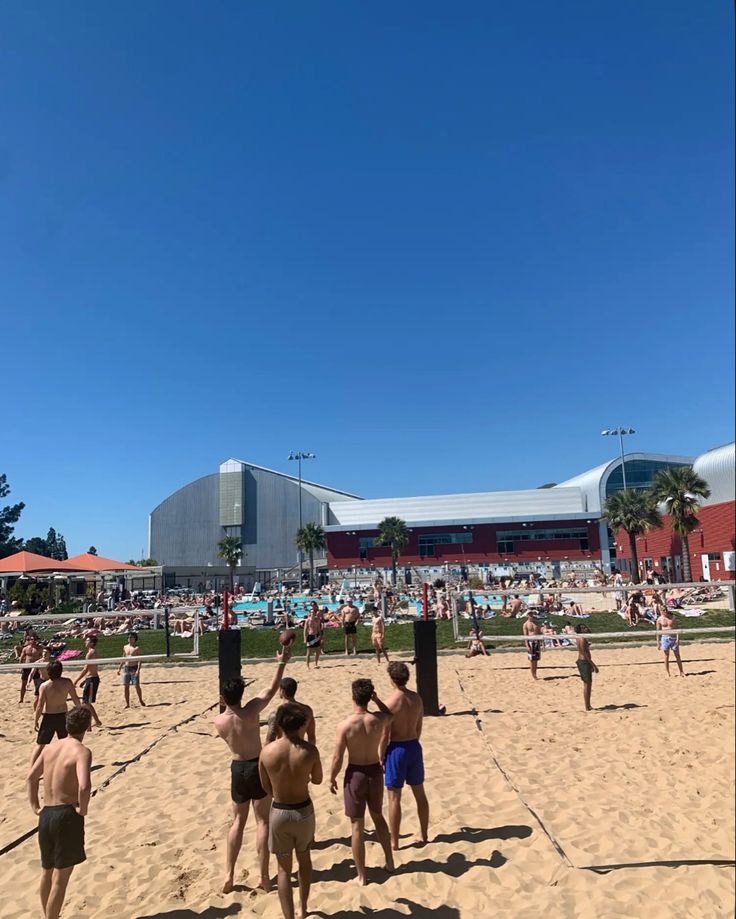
x=528, y=793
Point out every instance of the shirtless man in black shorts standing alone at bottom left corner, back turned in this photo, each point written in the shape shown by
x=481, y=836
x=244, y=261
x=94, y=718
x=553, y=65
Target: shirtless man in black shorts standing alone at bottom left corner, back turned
x=64, y=766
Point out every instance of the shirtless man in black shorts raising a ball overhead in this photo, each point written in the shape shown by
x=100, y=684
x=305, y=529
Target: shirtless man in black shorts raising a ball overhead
x=239, y=727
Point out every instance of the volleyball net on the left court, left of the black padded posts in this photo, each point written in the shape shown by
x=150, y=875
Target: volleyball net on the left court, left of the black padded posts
x=162, y=635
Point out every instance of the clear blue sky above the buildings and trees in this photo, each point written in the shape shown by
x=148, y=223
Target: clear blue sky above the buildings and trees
x=441, y=245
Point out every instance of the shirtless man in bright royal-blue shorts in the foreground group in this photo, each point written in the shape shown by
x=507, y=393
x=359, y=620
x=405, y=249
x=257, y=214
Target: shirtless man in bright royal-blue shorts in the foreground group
x=404, y=761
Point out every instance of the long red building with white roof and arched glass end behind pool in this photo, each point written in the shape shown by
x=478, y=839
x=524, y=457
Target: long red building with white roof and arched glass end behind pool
x=553, y=529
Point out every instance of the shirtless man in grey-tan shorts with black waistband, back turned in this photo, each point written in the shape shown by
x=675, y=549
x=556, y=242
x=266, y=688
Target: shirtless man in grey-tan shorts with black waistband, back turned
x=287, y=767
